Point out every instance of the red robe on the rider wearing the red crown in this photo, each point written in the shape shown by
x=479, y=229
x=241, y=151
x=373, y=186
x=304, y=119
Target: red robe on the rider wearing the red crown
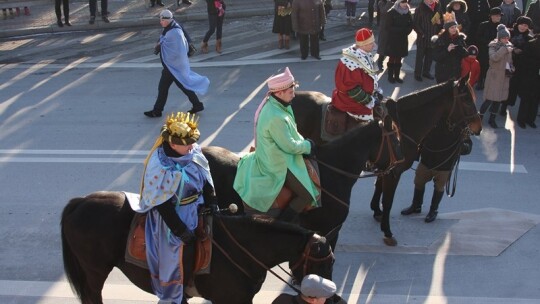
x=347, y=80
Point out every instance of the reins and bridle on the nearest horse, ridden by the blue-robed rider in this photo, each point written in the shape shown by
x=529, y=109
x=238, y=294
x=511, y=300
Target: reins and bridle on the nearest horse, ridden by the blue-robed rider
x=306, y=256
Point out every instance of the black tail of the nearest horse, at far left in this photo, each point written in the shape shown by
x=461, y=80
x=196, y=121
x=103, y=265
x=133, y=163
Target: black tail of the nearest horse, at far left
x=72, y=267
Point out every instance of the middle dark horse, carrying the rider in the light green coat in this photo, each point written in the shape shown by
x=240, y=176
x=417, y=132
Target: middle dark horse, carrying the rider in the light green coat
x=346, y=154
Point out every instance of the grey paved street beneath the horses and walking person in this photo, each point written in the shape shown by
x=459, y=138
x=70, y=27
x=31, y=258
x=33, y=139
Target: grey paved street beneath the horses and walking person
x=71, y=123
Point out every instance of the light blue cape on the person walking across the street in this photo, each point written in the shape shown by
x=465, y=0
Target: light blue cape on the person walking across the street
x=174, y=48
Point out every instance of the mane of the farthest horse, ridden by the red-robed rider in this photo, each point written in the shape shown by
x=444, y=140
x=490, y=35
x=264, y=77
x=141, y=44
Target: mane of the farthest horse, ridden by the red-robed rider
x=419, y=98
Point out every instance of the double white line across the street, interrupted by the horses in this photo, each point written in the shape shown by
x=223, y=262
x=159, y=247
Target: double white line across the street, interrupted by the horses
x=138, y=156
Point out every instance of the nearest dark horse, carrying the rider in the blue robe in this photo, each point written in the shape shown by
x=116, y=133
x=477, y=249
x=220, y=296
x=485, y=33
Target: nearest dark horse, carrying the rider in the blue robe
x=95, y=228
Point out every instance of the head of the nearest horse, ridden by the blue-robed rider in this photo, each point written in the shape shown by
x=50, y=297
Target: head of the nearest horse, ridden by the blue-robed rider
x=317, y=258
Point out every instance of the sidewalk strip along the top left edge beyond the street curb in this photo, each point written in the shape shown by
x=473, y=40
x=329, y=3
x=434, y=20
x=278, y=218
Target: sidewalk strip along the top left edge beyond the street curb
x=123, y=13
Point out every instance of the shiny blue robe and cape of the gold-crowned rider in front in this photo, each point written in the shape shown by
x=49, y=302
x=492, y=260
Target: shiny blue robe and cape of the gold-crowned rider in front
x=164, y=178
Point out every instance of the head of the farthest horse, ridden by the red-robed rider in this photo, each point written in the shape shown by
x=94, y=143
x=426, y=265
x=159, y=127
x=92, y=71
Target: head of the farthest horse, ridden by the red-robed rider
x=463, y=113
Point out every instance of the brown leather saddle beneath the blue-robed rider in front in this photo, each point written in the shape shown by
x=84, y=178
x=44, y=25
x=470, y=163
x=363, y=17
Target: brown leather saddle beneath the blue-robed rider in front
x=136, y=244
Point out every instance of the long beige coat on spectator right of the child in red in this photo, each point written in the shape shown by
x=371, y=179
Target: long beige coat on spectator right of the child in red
x=497, y=83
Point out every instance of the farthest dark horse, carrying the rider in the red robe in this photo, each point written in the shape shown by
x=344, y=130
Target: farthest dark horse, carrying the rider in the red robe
x=415, y=114
